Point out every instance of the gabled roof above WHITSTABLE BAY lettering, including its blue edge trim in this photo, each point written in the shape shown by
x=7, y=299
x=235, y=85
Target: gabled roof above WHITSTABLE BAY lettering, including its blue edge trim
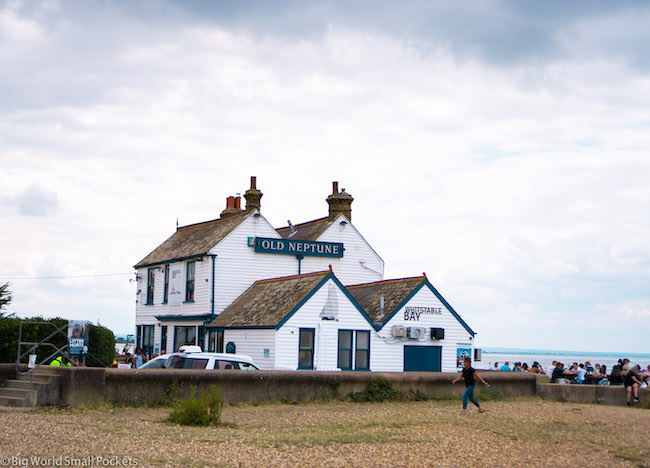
x=396, y=294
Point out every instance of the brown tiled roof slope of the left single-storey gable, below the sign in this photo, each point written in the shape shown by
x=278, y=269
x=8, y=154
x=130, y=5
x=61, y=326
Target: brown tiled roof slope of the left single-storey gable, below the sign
x=269, y=301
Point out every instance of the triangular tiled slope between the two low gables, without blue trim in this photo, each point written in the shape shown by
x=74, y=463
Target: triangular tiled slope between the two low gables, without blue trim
x=395, y=291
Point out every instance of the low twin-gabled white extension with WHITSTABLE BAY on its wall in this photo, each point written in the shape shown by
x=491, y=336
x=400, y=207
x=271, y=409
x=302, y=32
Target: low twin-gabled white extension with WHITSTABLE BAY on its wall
x=312, y=321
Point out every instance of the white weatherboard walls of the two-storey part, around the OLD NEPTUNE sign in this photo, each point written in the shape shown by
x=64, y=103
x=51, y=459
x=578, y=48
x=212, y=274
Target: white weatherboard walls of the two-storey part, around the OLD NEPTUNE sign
x=238, y=266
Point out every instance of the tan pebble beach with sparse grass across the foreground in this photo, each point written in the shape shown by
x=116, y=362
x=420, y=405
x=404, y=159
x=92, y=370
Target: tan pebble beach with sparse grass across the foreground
x=529, y=432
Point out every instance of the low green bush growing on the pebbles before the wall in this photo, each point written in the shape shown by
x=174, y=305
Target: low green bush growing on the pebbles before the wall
x=194, y=412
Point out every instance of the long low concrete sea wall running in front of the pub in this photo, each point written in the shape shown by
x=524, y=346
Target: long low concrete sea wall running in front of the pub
x=80, y=385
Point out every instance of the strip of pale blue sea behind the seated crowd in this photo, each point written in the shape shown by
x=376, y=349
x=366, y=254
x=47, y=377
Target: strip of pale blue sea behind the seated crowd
x=546, y=357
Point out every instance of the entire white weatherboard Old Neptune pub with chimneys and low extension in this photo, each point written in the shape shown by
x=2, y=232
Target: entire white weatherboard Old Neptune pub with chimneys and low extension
x=309, y=296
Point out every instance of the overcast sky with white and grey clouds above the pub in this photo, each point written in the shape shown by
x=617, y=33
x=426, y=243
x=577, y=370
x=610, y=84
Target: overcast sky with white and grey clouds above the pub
x=502, y=147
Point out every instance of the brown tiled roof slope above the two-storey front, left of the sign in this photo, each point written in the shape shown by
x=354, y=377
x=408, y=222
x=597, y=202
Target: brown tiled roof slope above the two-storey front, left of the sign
x=193, y=240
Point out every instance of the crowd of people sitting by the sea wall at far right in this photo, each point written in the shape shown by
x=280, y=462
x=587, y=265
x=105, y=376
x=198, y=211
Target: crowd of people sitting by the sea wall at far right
x=623, y=373
